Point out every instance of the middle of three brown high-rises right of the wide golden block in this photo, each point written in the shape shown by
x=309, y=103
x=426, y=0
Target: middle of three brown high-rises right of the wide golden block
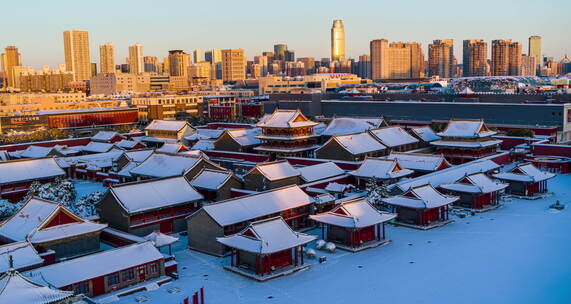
x=474, y=58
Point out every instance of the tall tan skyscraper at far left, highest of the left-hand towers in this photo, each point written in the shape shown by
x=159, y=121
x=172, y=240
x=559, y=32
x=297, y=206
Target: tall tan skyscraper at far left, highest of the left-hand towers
x=77, y=58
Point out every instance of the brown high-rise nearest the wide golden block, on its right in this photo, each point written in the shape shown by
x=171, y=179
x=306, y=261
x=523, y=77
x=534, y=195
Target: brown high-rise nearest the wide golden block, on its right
x=441, y=58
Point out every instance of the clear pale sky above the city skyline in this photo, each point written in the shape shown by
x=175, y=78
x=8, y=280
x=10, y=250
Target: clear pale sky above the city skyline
x=36, y=26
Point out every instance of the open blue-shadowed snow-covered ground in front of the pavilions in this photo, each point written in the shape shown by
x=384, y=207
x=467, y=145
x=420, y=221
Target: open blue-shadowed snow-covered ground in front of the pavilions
x=516, y=254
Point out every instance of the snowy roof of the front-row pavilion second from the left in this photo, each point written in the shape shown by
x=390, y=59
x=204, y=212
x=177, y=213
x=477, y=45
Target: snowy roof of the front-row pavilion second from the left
x=353, y=214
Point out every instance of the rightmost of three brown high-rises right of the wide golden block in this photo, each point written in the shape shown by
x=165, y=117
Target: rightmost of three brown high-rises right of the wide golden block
x=506, y=58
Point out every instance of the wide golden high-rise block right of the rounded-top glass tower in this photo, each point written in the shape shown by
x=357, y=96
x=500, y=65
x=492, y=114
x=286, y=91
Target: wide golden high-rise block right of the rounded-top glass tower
x=397, y=60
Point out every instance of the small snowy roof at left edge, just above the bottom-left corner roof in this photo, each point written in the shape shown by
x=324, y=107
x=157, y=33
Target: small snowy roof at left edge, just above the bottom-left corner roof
x=23, y=254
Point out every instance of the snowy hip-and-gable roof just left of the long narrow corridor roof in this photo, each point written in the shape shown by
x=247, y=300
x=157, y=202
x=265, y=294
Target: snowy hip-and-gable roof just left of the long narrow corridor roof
x=381, y=169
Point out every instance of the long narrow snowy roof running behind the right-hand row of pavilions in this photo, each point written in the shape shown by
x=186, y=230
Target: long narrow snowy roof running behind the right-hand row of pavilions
x=448, y=175
